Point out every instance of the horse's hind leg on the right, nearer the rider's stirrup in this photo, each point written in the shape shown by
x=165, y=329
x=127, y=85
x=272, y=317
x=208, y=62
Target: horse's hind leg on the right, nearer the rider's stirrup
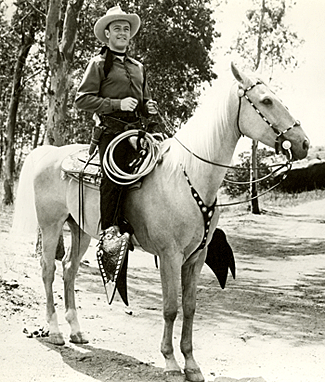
x=70, y=265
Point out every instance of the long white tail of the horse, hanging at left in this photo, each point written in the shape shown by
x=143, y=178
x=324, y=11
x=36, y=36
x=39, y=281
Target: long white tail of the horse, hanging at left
x=25, y=219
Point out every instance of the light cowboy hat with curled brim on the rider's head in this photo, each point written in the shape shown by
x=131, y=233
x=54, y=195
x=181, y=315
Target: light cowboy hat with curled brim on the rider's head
x=114, y=14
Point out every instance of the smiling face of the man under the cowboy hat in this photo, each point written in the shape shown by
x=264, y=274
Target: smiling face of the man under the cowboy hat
x=118, y=33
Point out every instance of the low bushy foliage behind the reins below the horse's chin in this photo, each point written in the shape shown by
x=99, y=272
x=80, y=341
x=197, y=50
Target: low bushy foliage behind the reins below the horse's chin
x=242, y=173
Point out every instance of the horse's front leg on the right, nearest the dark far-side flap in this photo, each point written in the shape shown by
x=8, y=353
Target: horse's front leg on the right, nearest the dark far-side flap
x=190, y=276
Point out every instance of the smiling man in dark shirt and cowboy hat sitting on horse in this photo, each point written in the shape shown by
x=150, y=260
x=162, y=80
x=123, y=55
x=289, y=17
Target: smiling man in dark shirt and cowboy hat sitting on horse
x=114, y=88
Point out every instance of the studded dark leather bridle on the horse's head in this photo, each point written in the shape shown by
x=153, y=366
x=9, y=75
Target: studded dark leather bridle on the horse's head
x=286, y=145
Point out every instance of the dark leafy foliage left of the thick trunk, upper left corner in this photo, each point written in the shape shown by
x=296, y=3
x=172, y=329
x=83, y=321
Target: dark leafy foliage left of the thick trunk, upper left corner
x=23, y=28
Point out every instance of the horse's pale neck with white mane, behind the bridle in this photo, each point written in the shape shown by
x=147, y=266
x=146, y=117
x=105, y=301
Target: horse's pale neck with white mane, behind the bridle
x=213, y=139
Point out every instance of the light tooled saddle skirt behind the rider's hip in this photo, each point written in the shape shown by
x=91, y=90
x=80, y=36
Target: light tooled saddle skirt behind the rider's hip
x=77, y=165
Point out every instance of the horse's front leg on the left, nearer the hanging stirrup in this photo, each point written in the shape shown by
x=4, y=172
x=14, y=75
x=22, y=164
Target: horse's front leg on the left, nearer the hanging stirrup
x=170, y=270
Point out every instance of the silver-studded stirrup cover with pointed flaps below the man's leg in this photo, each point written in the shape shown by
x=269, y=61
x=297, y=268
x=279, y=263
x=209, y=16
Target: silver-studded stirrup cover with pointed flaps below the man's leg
x=112, y=256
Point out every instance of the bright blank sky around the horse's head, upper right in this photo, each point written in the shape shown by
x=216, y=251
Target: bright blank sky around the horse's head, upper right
x=303, y=90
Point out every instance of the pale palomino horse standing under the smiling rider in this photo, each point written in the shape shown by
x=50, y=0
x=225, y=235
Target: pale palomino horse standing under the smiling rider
x=166, y=217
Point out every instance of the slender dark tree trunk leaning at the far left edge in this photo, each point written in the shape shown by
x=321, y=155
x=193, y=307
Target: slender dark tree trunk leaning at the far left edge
x=11, y=121
